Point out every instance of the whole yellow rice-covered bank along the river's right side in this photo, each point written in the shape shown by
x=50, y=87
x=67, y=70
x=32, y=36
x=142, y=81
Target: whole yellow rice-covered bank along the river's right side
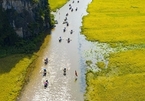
x=117, y=23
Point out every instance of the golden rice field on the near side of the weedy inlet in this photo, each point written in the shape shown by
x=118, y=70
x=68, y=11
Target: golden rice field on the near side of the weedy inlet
x=123, y=80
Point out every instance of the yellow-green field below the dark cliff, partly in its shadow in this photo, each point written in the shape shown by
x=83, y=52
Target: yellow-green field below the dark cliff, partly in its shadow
x=13, y=70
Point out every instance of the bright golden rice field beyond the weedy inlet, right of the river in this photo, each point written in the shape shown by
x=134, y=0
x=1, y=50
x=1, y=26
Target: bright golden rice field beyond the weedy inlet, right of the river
x=115, y=21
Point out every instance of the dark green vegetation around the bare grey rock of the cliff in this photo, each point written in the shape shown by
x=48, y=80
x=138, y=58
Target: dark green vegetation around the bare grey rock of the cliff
x=11, y=43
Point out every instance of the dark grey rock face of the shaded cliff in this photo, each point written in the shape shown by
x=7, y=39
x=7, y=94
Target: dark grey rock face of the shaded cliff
x=27, y=17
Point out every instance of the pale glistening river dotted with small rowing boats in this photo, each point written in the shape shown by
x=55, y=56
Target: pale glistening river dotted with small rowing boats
x=61, y=55
